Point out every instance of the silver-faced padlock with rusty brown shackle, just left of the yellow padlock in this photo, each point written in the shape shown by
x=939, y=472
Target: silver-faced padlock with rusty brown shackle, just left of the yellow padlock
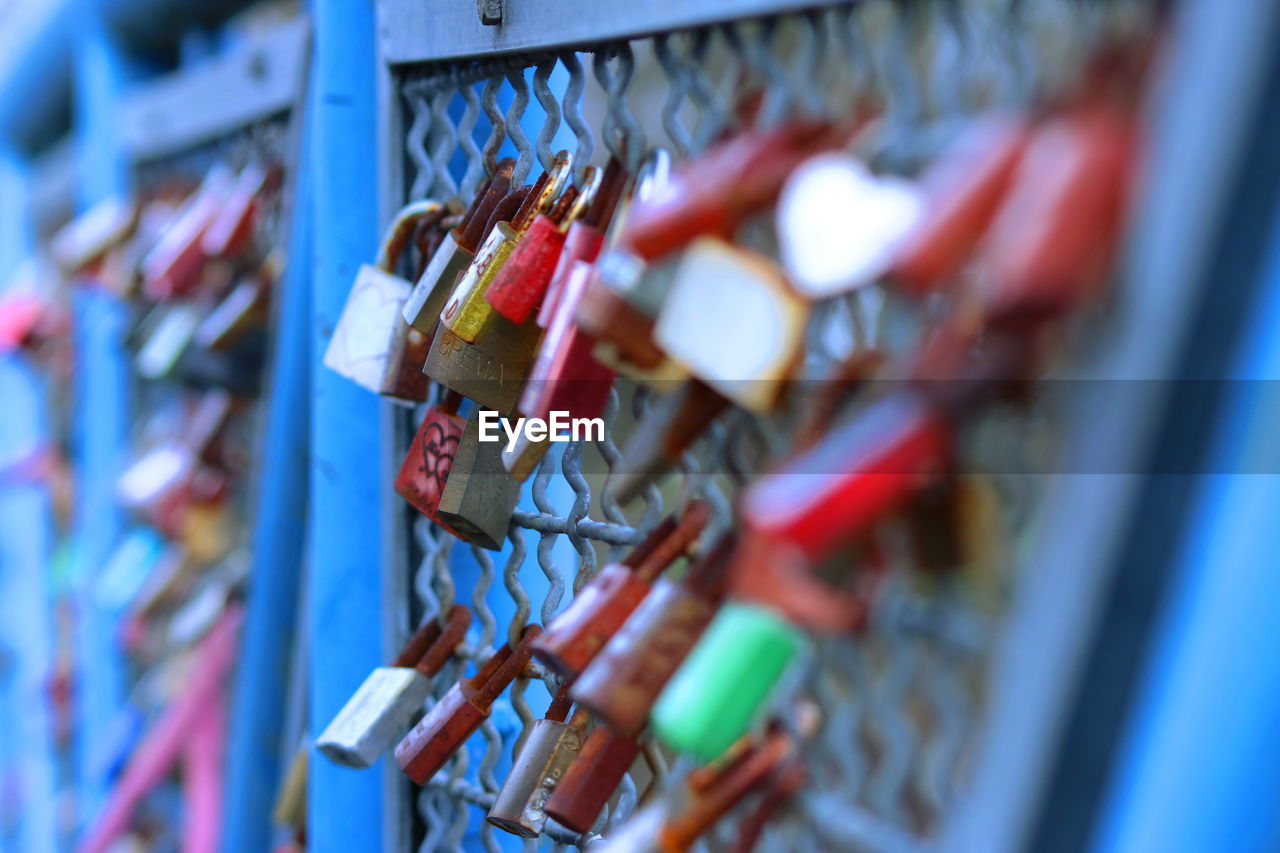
x=456, y=253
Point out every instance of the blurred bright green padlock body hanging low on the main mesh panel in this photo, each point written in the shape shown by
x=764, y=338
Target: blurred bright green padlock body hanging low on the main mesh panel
x=721, y=688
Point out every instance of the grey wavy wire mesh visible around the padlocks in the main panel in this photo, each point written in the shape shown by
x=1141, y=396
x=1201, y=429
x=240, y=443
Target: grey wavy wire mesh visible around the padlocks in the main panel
x=903, y=700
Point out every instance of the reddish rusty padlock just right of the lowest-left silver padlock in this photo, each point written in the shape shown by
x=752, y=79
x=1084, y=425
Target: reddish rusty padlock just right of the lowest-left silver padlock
x=461, y=711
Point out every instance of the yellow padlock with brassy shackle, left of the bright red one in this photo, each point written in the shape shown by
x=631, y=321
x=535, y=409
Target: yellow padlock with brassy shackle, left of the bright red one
x=468, y=313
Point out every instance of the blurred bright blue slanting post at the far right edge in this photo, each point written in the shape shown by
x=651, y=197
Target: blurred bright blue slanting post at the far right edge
x=1199, y=767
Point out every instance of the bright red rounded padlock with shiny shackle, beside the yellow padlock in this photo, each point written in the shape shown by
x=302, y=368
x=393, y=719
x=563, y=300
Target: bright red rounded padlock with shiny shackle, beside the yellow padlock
x=522, y=284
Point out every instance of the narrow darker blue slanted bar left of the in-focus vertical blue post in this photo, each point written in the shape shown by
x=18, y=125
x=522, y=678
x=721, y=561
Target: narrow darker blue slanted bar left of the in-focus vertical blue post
x=280, y=530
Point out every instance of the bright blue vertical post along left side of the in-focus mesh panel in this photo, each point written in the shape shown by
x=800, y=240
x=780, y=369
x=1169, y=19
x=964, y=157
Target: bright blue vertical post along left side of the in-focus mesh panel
x=345, y=589
